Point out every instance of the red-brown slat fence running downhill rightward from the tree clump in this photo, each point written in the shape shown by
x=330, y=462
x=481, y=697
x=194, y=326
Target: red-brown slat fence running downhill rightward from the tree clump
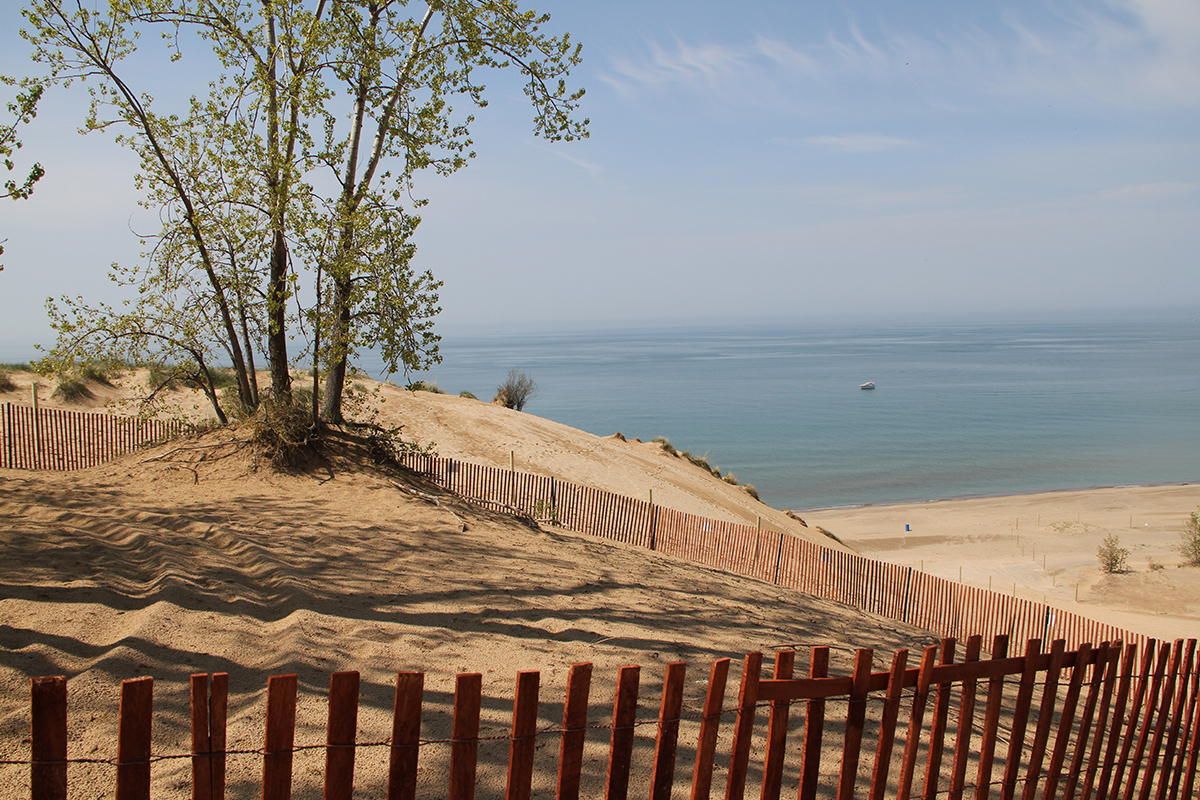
x=898, y=593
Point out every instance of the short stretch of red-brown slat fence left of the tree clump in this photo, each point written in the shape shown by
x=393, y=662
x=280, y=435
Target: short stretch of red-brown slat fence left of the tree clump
x=50, y=438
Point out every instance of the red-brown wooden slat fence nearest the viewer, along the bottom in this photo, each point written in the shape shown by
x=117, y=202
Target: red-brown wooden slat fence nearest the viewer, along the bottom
x=1094, y=723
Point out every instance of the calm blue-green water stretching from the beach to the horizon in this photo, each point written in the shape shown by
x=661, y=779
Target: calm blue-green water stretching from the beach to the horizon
x=959, y=411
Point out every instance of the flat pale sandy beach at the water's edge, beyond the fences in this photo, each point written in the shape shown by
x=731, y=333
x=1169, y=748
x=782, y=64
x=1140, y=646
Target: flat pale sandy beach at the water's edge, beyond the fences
x=1046, y=545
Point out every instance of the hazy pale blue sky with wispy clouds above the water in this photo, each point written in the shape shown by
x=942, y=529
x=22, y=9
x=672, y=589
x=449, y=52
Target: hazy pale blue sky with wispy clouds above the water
x=755, y=160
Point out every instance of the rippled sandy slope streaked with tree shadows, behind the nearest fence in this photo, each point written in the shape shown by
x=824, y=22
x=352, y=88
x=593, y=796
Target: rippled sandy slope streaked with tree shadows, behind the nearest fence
x=197, y=563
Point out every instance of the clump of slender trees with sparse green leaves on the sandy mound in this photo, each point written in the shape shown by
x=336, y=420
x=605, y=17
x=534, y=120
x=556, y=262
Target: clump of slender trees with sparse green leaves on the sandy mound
x=239, y=176
